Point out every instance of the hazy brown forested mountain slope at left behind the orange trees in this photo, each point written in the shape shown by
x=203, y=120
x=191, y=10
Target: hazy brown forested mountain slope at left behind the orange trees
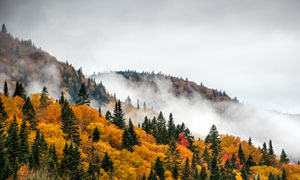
x=21, y=60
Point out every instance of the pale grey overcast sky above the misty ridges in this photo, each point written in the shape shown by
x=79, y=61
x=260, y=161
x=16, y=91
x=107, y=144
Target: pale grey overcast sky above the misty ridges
x=250, y=48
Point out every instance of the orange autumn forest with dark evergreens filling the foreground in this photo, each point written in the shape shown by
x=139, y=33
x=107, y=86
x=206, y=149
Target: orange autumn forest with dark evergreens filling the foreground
x=46, y=138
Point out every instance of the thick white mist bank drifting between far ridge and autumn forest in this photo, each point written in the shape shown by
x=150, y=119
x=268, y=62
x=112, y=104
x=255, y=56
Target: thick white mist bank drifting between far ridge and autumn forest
x=200, y=114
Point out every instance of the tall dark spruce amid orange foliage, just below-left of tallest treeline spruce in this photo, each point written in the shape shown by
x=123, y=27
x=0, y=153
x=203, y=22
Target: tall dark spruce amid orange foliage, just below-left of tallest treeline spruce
x=69, y=125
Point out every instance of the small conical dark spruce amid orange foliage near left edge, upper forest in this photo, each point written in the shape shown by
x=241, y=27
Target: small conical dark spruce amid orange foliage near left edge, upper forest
x=29, y=114
